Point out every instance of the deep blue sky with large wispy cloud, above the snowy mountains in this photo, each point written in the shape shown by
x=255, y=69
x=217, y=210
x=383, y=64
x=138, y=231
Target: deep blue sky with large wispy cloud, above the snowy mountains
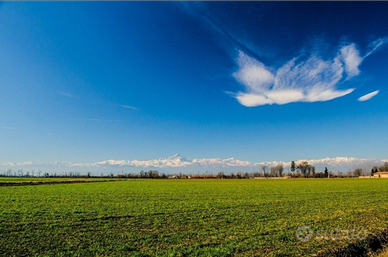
x=257, y=81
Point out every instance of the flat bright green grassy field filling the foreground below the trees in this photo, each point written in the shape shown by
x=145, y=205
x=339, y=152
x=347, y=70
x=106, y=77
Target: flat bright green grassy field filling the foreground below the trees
x=187, y=217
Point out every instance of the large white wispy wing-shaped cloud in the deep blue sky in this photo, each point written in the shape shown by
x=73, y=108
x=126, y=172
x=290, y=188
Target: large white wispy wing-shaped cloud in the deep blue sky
x=310, y=79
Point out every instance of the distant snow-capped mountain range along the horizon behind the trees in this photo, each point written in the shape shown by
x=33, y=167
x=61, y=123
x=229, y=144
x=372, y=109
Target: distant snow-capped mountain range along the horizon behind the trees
x=177, y=163
